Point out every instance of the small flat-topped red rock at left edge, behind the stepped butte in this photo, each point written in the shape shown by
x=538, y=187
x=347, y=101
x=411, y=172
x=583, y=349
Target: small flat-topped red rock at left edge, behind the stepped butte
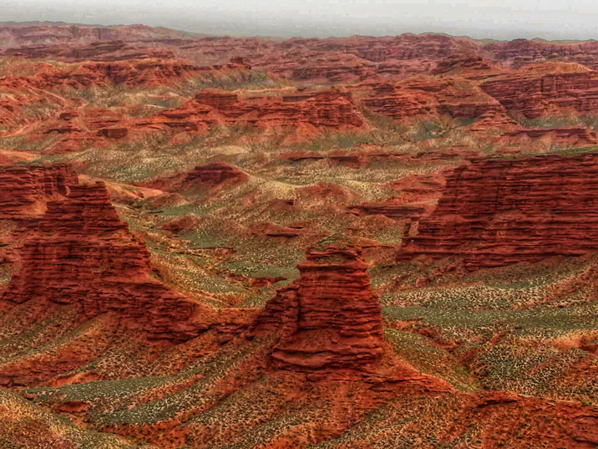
x=24, y=189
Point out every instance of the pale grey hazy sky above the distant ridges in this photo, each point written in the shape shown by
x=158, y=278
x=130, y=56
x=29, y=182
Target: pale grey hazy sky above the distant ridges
x=506, y=19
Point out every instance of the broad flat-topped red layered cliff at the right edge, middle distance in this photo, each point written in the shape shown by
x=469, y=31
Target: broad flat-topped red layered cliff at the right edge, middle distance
x=496, y=212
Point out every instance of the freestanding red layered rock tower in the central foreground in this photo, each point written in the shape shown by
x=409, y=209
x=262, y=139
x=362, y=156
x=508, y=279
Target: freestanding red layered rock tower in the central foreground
x=329, y=318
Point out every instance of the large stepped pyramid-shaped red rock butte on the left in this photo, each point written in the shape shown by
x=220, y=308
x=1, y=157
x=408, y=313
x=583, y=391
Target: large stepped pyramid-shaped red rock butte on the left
x=80, y=252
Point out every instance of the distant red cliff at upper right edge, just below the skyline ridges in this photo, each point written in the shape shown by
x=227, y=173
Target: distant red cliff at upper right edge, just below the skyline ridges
x=546, y=88
